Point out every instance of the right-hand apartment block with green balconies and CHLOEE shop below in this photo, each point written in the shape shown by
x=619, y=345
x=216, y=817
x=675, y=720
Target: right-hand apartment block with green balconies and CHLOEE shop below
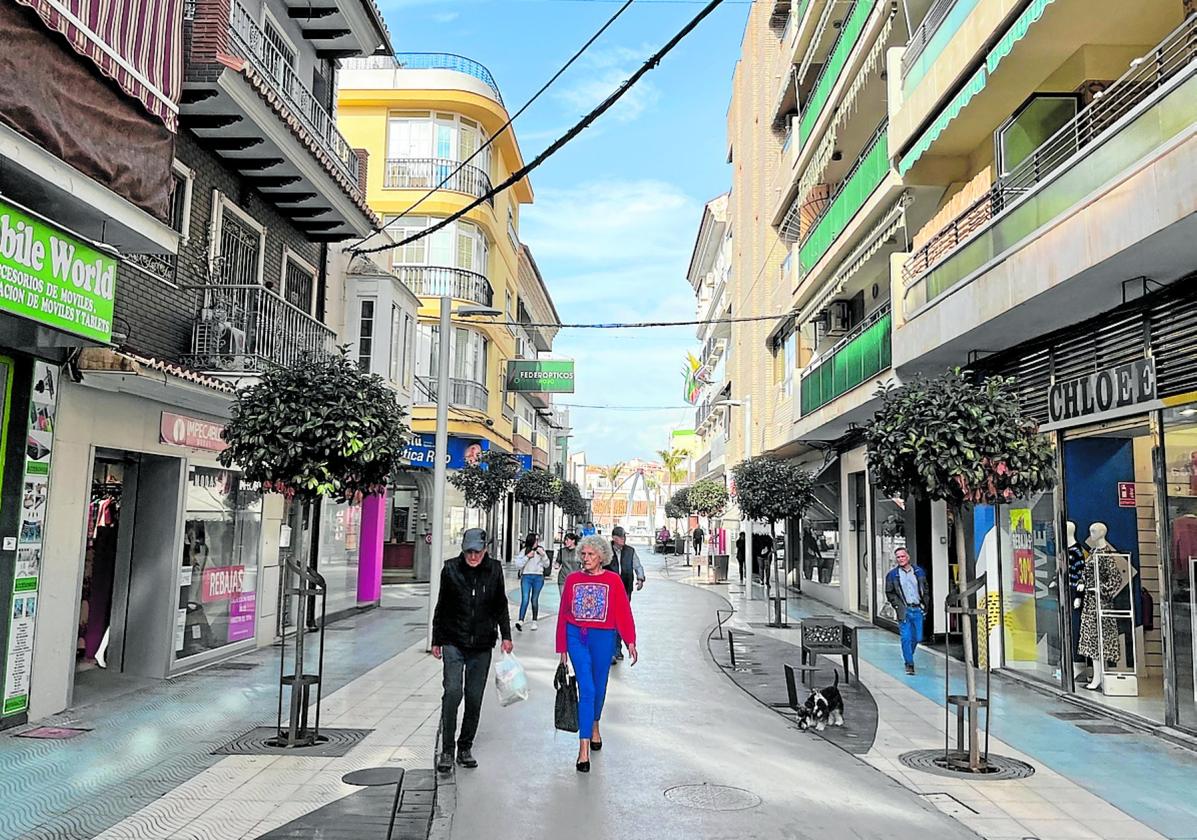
x=1004, y=187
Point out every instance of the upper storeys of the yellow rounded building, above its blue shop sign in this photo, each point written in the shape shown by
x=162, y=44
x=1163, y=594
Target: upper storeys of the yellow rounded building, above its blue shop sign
x=420, y=117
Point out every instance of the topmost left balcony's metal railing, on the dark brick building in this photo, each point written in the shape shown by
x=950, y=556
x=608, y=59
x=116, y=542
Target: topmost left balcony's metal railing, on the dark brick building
x=251, y=42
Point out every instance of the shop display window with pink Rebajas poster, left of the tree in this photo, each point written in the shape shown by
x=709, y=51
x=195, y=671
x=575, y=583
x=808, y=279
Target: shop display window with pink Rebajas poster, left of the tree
x=218, y=575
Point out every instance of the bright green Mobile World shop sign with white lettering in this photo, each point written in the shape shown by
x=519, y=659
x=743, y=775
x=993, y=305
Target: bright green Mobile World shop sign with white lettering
x=53, y=278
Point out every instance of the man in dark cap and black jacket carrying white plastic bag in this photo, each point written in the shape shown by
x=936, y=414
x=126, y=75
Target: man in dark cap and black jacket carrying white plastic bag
x=472, y=604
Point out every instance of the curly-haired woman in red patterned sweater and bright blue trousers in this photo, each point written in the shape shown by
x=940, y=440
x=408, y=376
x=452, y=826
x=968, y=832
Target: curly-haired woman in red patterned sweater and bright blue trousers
x=594, y=607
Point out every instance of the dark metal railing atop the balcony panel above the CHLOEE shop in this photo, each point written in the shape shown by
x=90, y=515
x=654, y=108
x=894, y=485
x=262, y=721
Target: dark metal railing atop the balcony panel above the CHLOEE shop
x=1174, y=56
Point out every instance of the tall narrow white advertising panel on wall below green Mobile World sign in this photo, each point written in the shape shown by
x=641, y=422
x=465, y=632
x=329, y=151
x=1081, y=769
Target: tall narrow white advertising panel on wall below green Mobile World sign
x=27, y=580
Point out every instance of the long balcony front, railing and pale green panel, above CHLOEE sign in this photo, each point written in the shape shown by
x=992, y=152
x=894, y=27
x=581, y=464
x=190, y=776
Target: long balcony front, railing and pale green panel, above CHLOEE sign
x=1140, y=112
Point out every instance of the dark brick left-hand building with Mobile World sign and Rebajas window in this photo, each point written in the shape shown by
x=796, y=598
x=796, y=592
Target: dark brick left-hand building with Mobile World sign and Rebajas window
x=173, y=193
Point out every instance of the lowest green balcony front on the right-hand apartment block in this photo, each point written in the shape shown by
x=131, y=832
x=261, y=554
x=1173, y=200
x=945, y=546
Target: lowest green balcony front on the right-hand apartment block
x=859, y=356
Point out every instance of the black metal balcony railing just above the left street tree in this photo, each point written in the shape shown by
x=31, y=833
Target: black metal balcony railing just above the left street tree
x=246, y=330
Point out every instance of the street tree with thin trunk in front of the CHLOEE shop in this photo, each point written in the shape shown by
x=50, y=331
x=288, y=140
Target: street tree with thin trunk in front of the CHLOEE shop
x=965, y=443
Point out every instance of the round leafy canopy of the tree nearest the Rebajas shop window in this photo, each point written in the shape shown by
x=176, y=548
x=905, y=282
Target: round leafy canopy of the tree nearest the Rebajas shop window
x=321, y=429
